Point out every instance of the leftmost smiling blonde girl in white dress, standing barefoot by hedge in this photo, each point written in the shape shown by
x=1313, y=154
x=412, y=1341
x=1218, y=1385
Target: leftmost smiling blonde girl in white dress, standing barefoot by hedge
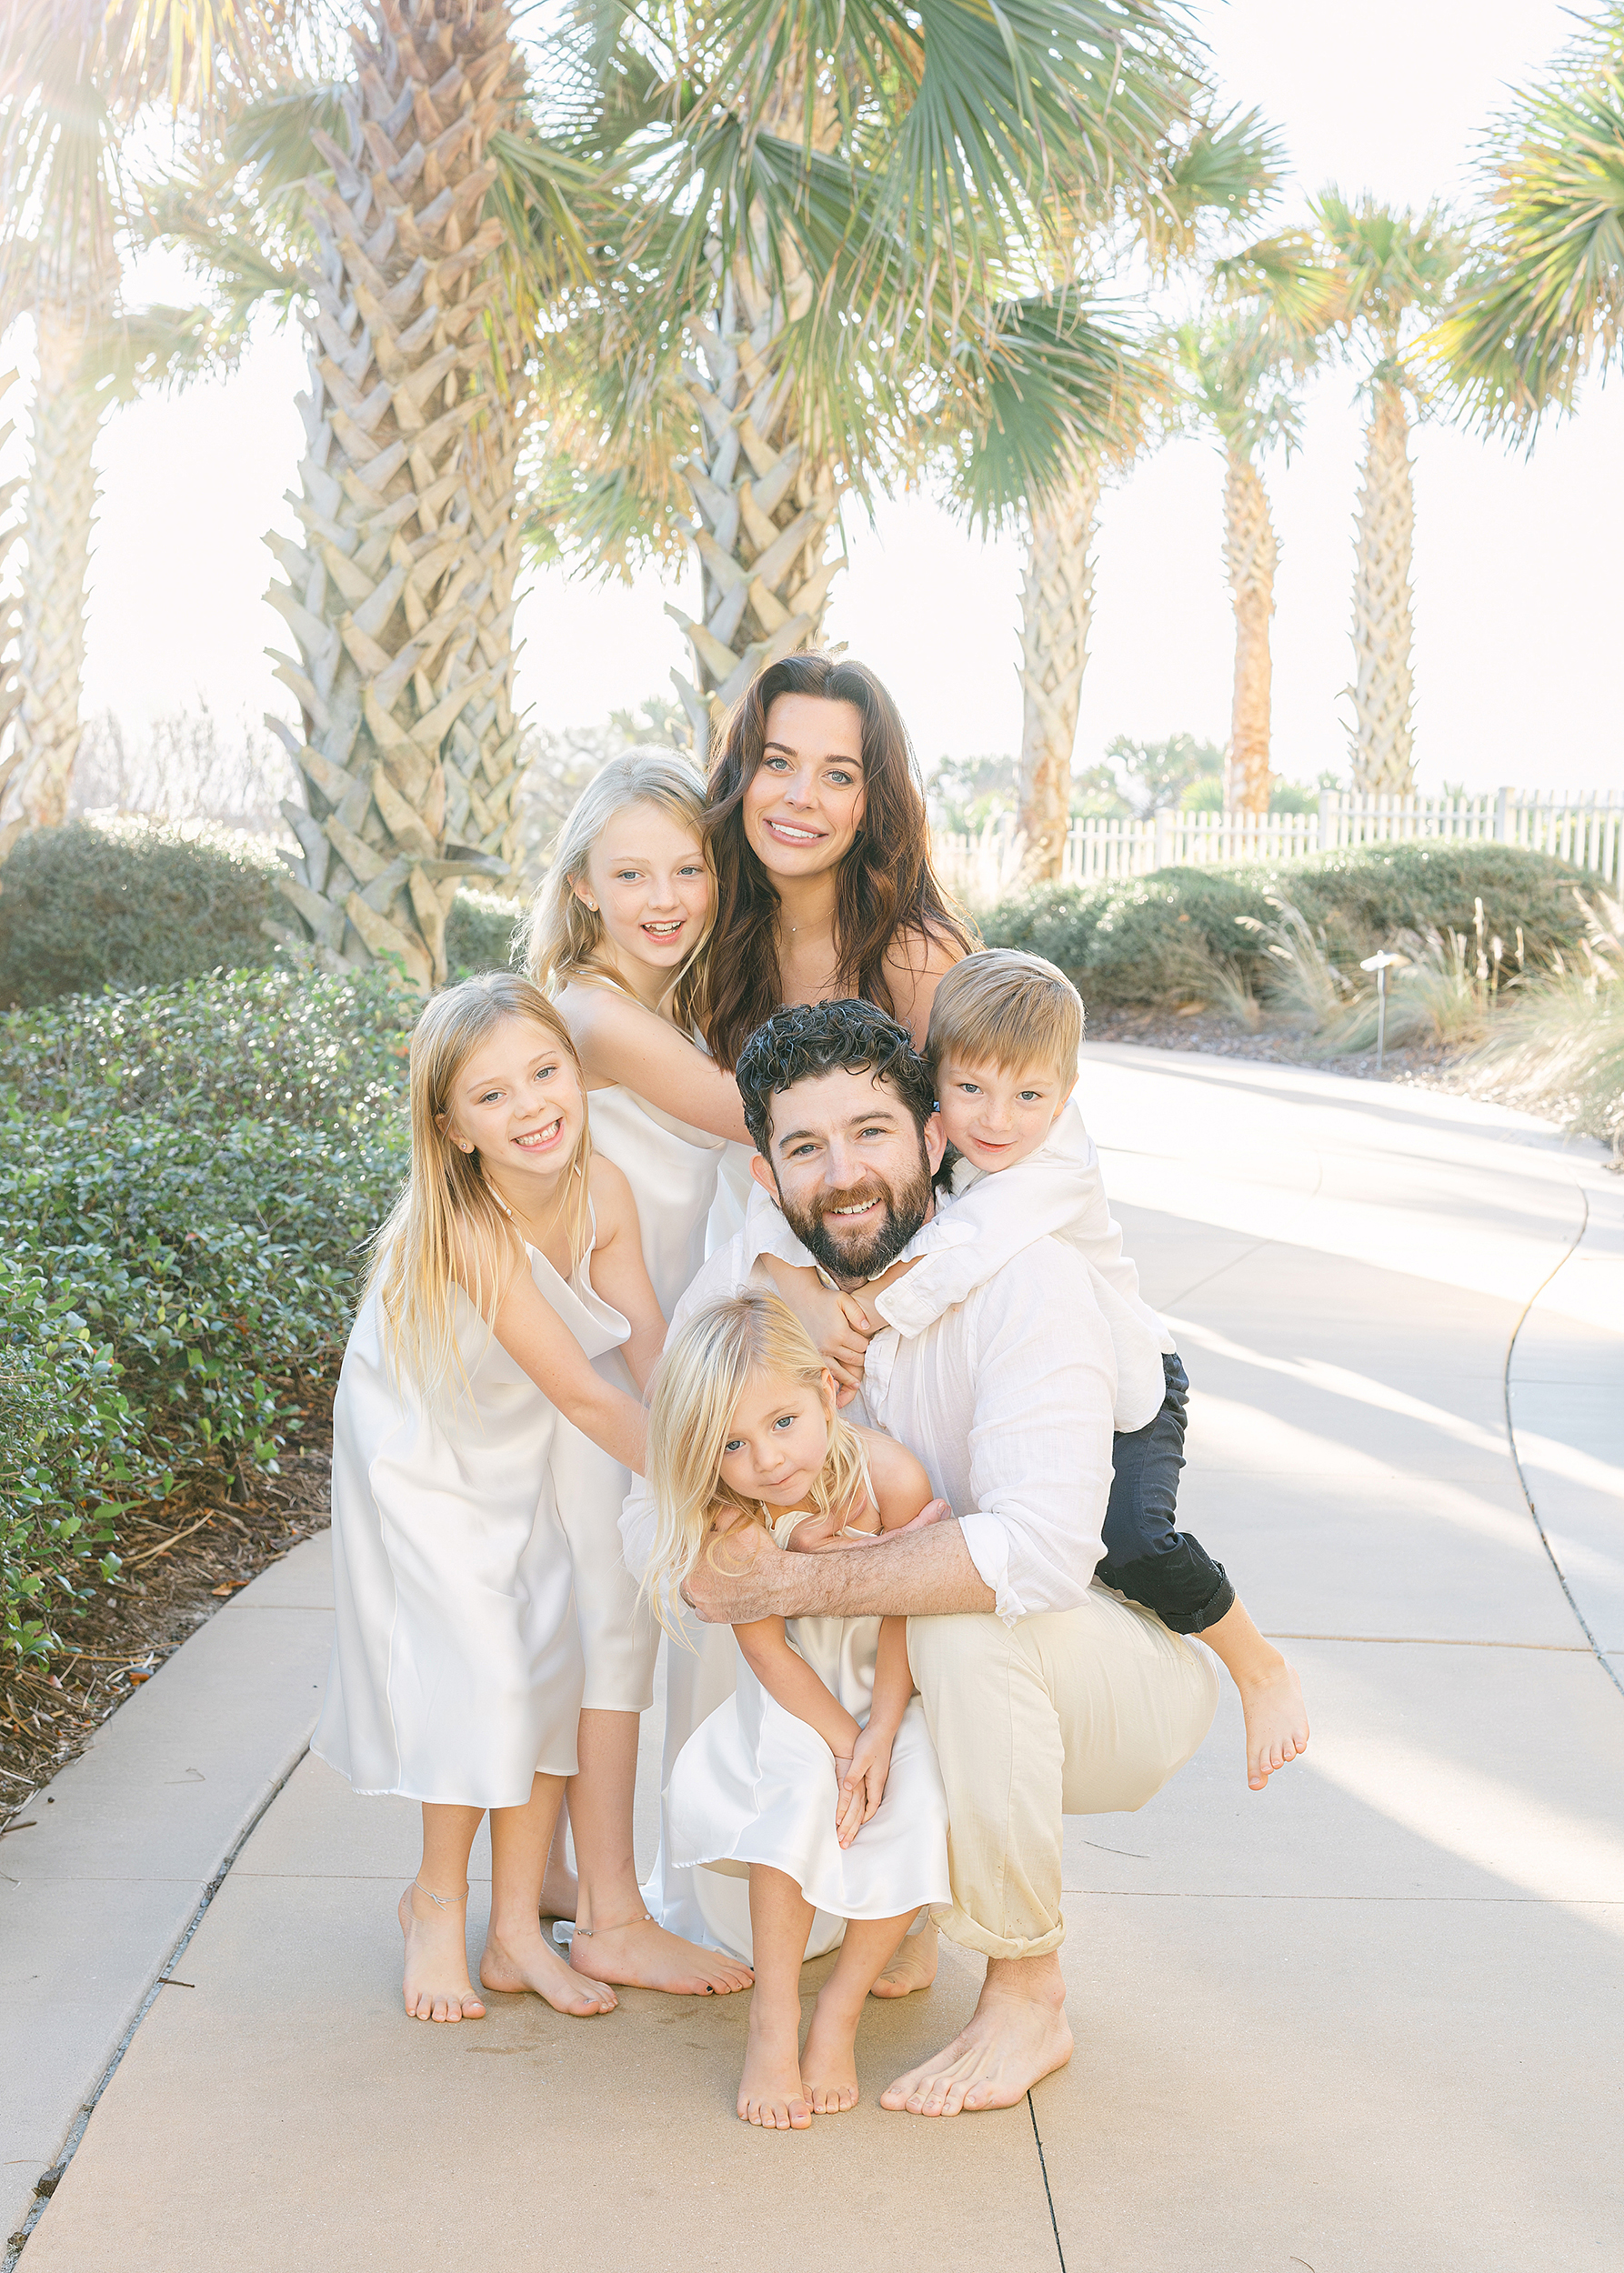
x=511, y=1260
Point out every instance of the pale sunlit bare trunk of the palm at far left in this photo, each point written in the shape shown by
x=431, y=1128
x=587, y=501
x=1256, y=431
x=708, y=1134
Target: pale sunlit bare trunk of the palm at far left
x=58, y=538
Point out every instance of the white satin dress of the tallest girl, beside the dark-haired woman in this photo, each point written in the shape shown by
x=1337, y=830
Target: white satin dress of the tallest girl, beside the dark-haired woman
x=672, y=1172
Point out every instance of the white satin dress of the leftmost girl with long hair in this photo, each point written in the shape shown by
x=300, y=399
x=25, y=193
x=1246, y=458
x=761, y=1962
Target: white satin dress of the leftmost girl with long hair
x=456, y=1665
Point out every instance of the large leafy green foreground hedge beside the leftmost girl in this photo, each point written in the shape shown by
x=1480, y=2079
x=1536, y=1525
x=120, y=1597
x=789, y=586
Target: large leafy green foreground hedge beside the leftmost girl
x=188, y=1179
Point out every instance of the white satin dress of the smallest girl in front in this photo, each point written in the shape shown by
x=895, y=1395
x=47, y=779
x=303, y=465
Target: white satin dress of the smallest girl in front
x=754, y=1783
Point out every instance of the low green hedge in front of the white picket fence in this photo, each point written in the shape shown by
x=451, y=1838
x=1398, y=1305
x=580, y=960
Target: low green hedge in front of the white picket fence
x=1175, y=933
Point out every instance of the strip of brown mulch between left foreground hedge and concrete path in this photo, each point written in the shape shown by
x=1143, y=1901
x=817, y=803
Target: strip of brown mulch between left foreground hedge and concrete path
x=181, y=1565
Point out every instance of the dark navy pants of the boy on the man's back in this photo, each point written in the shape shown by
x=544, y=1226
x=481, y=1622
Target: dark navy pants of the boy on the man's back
x=1147, y=1556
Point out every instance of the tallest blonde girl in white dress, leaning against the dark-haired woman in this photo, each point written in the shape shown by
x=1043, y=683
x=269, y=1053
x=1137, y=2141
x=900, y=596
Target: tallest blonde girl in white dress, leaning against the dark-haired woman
x=618, y=938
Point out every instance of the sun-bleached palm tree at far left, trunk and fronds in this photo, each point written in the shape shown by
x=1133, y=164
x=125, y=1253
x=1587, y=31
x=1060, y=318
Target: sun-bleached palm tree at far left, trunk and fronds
x=72, y=83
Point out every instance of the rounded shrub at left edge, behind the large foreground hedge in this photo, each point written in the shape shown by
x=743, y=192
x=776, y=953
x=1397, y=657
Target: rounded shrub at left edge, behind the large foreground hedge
x=131, y=904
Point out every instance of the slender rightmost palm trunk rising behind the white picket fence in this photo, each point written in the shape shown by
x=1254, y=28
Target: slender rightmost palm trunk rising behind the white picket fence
x=1384, y=690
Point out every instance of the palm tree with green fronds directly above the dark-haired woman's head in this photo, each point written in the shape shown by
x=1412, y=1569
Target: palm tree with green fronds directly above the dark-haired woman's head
x=829, y=224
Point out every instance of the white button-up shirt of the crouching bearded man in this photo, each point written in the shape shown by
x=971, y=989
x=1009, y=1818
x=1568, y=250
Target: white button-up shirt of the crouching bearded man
x=1006, y=1401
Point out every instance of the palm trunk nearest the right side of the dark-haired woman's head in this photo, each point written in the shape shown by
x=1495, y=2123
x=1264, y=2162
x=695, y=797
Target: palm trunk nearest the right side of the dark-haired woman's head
x=1057, y=610
